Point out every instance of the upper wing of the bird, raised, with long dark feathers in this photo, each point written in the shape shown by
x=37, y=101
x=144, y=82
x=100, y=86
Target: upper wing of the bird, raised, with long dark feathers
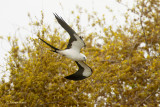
x=75, y=41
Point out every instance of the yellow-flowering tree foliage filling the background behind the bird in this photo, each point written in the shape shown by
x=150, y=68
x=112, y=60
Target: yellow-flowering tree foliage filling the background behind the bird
x=126, y=66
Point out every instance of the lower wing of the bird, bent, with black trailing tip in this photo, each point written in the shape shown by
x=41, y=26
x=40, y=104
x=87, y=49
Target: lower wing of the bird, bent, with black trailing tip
x=83, y=72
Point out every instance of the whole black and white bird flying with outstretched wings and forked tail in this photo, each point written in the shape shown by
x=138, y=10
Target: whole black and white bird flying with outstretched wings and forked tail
x=73, y=51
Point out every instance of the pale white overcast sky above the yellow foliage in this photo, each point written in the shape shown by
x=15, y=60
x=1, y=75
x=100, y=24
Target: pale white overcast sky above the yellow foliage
x=14, y=15
